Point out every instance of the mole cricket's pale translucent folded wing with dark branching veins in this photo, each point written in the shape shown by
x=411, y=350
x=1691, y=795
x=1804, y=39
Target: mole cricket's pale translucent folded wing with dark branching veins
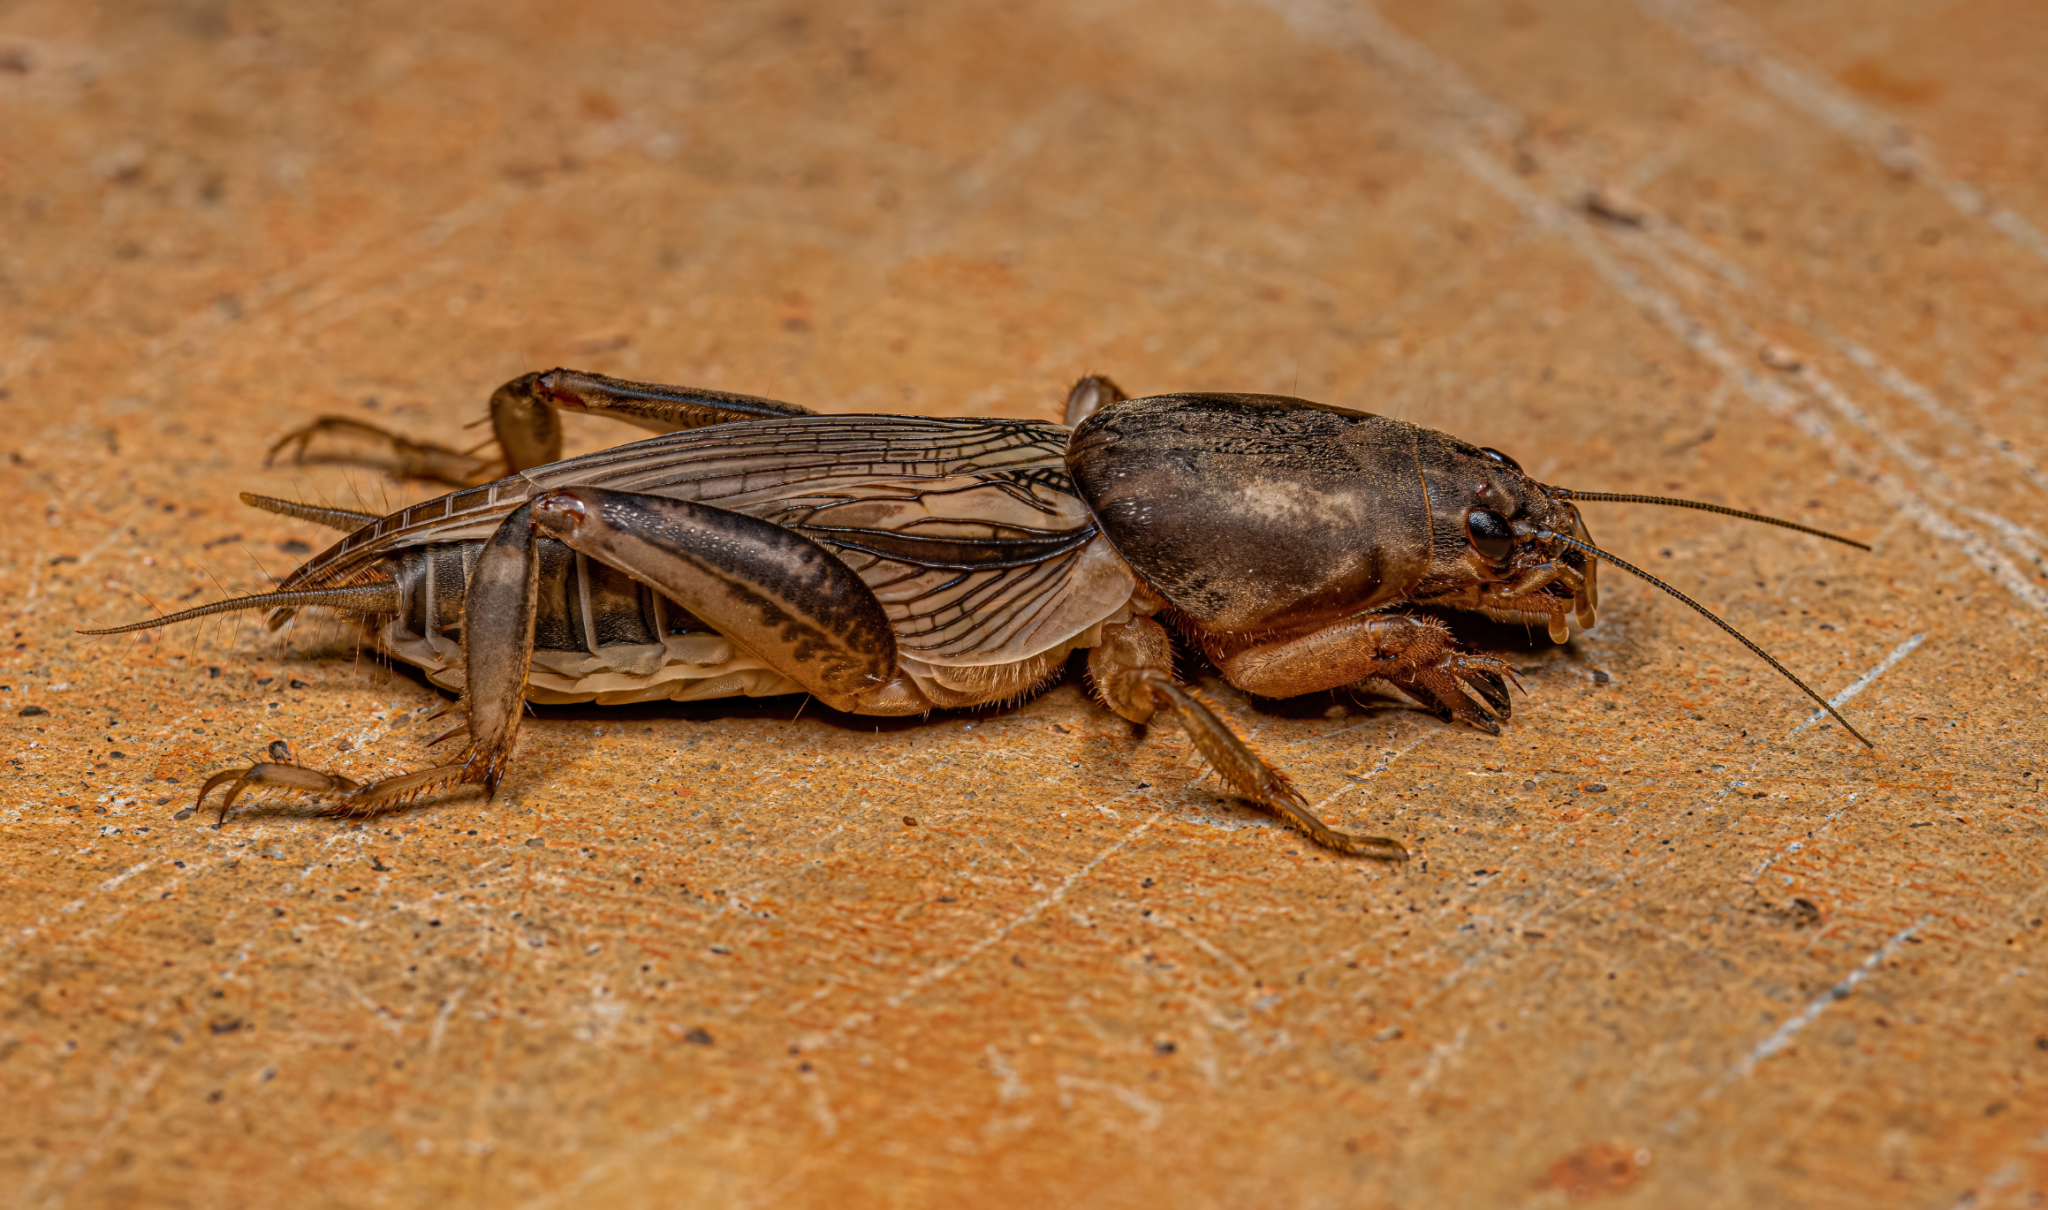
x=966, y=529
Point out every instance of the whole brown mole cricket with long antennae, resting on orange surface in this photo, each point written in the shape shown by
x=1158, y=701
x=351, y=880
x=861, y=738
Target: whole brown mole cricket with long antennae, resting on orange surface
x=896, y=566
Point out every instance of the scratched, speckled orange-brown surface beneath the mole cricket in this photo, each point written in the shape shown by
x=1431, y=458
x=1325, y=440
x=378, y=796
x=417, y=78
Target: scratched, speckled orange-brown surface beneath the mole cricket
x=1656, y=949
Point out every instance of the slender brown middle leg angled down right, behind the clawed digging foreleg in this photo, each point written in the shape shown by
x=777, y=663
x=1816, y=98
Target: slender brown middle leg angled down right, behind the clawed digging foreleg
x=1134, y=673
